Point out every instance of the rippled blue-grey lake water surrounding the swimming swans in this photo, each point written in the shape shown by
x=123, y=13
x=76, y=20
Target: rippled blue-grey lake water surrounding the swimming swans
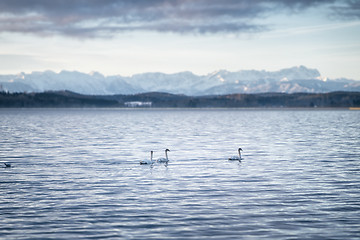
x=76, y=174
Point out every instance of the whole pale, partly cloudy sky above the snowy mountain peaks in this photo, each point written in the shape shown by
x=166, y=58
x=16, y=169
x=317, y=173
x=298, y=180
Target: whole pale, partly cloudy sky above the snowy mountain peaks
x=128, y=37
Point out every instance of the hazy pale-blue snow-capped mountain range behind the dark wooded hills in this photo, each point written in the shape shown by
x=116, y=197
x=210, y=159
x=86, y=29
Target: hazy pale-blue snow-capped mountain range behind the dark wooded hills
x=290, y=80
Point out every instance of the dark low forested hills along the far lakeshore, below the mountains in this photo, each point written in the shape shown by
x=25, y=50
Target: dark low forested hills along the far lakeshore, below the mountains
x=162, y=100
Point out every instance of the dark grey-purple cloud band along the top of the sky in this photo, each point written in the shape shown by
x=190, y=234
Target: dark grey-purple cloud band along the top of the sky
x=105, y=18
